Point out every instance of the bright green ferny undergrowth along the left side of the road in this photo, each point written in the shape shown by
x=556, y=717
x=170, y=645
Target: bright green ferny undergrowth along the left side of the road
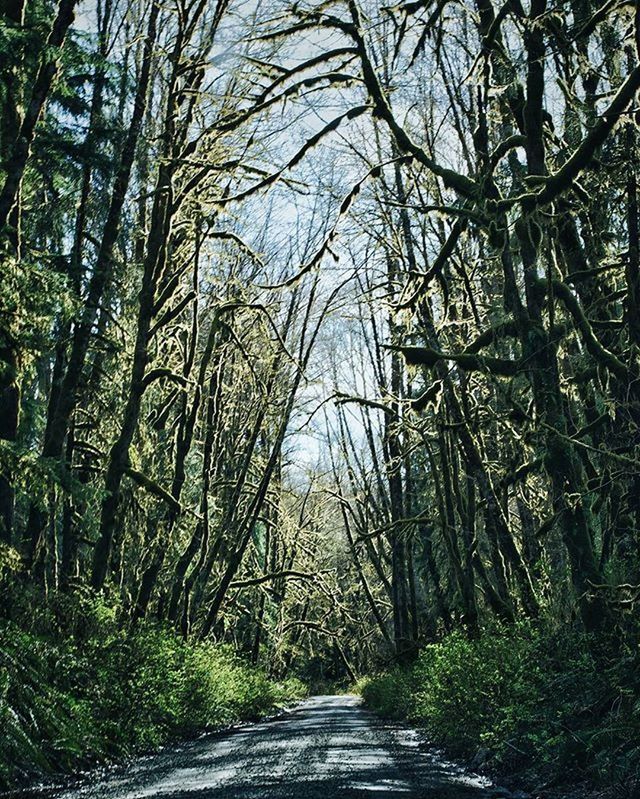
x=77, y=688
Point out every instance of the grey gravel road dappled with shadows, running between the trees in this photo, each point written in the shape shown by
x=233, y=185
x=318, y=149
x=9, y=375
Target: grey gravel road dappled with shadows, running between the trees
x=327, y=747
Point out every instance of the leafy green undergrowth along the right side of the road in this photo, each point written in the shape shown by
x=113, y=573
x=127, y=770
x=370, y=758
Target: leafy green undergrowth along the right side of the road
x=522, y=700
